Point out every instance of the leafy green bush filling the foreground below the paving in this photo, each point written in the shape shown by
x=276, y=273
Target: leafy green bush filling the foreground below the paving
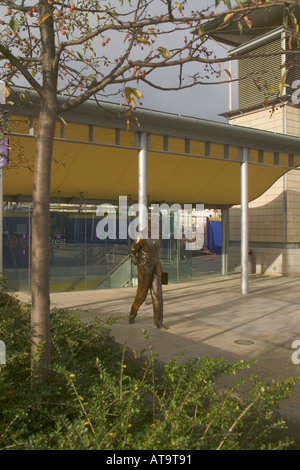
x=100, y=397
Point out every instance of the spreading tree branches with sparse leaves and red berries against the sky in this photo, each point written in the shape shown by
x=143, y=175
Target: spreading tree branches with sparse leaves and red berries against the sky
x=98, y=46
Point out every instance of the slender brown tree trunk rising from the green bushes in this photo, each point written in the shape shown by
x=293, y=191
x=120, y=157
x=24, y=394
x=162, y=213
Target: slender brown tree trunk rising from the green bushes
x=40, y=289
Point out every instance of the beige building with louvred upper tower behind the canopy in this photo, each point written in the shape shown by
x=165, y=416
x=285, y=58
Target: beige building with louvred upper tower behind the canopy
x=274, y=217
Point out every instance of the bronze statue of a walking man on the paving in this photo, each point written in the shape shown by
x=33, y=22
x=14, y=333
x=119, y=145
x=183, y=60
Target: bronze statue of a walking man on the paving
x=144, y=253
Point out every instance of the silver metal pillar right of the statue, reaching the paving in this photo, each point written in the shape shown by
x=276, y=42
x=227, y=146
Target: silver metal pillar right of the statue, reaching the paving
x=244, y=223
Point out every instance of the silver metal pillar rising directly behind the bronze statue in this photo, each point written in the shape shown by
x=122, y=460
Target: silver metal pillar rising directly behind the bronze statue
x=142, y=181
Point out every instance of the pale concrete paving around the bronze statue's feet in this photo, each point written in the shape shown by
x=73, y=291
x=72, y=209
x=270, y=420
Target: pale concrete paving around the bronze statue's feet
x=211, y=318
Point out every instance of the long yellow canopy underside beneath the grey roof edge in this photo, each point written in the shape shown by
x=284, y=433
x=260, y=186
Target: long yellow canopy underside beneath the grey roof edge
x=183, y=171
